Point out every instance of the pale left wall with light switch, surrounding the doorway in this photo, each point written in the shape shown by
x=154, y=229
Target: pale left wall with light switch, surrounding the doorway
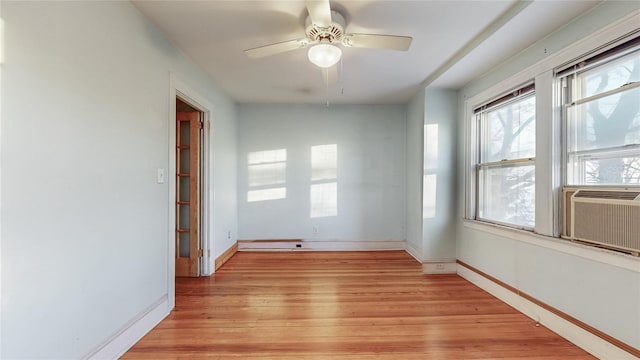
x=85, y=125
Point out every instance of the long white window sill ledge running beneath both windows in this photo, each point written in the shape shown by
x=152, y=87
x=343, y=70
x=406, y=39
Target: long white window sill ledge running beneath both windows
x=609, y=257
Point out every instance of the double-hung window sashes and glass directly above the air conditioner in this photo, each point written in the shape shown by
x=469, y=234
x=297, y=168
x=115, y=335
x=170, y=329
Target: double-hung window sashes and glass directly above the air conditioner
x=583, y=157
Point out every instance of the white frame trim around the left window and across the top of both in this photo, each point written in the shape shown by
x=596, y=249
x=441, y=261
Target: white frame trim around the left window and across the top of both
x=549, y=129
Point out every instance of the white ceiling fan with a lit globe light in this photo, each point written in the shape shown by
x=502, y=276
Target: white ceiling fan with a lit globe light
x=324, y=31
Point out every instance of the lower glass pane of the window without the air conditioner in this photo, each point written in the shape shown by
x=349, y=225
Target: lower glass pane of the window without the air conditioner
x=507, y=194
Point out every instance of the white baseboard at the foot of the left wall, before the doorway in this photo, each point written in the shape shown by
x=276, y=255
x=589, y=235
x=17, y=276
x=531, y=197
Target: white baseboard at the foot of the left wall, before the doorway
x=121, y=341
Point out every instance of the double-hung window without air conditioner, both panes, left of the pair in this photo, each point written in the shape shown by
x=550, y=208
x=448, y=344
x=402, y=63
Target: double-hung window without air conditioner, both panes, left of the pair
x=505, y=176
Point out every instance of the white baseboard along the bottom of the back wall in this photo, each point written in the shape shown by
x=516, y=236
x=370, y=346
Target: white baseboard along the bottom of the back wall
x=320, y=245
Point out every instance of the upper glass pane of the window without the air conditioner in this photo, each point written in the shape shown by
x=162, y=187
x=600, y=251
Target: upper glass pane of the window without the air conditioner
x=508, y=131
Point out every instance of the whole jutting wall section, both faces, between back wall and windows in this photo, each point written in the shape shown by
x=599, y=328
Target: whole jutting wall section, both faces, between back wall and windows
x=431, y=175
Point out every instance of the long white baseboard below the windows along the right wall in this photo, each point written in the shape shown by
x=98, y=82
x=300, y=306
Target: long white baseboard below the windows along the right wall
x=591, y=343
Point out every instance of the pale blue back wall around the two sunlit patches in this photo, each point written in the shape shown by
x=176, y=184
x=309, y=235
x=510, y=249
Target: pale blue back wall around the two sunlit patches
x=370, y=171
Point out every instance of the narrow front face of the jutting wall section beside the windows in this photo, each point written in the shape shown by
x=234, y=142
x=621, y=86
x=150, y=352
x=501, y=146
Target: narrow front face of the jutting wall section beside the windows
x=439, y=194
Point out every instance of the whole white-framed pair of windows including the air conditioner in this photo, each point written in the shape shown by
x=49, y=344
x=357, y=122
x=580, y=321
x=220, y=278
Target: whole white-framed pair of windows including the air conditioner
x=577, y=132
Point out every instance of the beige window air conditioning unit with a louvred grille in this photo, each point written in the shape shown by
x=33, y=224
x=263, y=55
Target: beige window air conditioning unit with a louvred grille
x=610, y=218
